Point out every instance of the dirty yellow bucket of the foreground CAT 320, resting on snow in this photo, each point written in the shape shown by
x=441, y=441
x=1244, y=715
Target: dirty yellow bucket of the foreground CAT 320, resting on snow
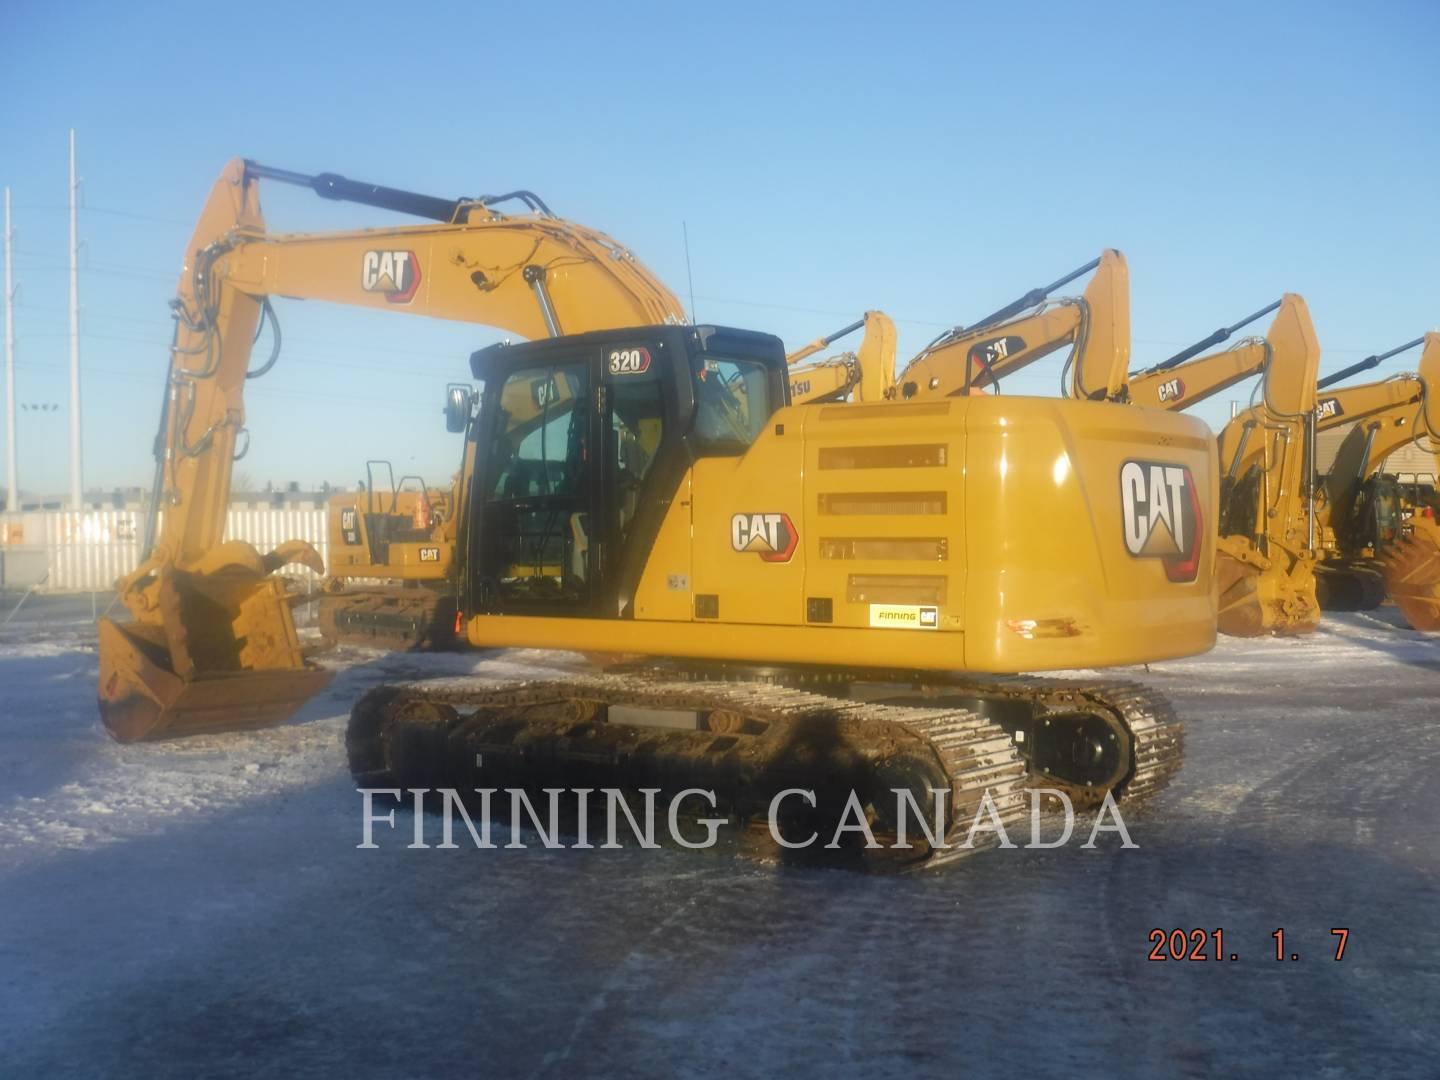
x=224, y=657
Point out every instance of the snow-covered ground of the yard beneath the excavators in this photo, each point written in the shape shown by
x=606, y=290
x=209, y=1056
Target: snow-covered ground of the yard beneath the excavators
x=201, y=908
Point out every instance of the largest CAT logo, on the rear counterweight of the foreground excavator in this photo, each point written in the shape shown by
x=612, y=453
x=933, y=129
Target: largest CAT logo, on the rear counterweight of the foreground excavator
x=1163, y=518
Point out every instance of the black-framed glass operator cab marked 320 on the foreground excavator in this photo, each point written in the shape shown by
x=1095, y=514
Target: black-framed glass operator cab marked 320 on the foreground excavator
x=581, y=446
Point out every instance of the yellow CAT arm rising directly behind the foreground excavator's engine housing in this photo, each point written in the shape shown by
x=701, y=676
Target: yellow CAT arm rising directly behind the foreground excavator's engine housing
x=1097, y=326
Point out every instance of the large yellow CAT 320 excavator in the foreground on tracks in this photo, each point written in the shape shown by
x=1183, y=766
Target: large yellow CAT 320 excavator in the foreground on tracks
x=832, y=598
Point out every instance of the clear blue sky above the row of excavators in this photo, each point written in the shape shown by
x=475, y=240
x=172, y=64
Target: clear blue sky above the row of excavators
x=930, y=161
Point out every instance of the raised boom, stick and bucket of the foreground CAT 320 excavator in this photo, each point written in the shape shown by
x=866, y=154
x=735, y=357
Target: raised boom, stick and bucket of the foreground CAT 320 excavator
x=212, y=644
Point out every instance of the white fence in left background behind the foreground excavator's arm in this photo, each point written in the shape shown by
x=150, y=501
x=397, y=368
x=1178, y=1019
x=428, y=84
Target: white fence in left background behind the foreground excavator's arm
x=64, y=551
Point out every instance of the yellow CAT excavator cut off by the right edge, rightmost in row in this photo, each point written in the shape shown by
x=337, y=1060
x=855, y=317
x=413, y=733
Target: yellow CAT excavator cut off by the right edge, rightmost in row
x=1363, y=512
